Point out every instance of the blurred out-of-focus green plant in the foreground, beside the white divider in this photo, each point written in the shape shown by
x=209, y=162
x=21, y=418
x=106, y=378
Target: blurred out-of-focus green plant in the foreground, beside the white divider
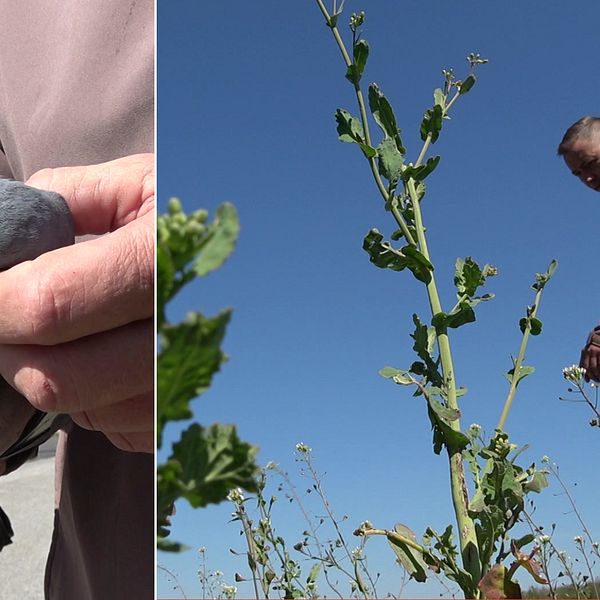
x=207, y=462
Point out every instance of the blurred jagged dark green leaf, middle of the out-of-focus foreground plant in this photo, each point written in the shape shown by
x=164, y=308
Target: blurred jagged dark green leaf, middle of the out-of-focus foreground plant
x=190, y=355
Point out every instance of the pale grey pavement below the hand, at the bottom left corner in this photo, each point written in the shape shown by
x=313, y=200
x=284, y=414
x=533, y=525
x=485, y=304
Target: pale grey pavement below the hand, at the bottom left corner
x=27, y=496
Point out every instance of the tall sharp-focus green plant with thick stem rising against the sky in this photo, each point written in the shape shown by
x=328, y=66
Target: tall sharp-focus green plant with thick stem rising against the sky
x=486, y=557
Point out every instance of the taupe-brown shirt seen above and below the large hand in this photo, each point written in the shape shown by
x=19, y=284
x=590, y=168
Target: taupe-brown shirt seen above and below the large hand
x=77, y=88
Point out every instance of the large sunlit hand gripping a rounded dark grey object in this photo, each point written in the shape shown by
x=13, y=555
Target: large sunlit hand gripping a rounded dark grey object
x=76, y=325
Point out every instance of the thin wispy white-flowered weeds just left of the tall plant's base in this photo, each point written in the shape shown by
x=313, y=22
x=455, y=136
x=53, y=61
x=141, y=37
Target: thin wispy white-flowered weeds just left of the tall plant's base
x=280, y=569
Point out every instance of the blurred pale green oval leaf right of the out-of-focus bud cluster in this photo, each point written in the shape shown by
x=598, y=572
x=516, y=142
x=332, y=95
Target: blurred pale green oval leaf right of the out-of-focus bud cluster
x=226, y=228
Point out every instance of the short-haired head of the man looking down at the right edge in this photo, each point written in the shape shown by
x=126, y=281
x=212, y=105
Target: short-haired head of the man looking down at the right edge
x=580, y=149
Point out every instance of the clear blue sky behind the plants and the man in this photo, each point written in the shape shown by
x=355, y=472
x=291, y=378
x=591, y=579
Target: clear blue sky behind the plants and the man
x=246, y=97
